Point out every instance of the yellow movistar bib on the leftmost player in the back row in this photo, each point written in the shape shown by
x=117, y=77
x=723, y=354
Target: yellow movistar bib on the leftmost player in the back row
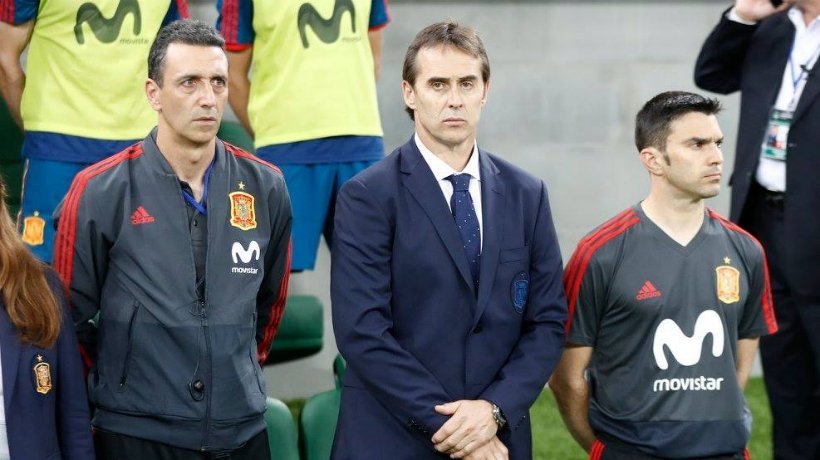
x=87, y=66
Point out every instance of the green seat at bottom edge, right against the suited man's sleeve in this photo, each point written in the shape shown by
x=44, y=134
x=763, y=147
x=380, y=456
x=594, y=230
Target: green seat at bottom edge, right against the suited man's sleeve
x=317, y=425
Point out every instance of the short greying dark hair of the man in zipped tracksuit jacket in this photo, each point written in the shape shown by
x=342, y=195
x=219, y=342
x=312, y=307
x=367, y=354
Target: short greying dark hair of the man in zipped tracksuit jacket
x=185, y=31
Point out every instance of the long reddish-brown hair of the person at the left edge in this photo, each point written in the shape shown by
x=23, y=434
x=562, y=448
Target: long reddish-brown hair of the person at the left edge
x=30, y=303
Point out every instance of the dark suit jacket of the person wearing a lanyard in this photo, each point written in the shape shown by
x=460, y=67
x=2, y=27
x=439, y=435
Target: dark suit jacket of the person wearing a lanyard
x=752, y=59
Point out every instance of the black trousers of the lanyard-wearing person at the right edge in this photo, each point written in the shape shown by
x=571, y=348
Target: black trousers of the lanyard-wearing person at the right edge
x=791, y=357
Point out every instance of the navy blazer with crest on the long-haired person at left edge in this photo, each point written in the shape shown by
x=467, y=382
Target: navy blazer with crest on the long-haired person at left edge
x=47, y=426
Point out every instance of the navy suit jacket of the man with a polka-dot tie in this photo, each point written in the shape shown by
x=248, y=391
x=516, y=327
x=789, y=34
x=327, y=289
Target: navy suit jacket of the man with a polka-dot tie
x=407, y=319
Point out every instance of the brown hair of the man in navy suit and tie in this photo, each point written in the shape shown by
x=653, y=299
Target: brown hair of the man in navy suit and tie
x=447, y=33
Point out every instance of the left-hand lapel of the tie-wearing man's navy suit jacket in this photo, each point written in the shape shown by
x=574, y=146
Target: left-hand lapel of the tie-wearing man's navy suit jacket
x=419, y=180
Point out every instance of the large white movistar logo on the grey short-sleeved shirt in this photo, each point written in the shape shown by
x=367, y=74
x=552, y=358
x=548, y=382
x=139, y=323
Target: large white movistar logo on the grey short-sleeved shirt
x=687, y=351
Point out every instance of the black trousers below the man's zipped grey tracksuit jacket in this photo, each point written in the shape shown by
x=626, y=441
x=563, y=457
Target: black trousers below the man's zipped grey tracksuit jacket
x=113, y=446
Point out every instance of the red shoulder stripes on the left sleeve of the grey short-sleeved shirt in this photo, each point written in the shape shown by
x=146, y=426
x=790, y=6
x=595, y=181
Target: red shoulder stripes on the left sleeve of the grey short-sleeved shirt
x=584, y=252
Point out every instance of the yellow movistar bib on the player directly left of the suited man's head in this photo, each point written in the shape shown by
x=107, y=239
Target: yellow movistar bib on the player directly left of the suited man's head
x=312, y=73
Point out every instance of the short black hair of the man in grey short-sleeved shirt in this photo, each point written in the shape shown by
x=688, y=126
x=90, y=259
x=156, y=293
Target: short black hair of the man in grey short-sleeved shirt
x=652, y=125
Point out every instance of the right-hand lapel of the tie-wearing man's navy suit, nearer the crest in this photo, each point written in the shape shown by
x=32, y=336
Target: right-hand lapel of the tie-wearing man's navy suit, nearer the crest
x=493, y=211
